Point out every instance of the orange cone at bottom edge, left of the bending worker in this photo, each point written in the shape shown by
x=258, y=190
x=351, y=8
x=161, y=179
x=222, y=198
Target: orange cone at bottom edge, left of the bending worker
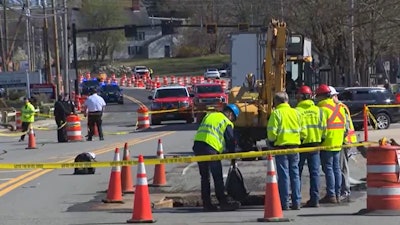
x=141, y=205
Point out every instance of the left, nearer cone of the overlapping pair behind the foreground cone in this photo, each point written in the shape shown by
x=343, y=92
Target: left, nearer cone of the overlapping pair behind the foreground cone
x=114, y=191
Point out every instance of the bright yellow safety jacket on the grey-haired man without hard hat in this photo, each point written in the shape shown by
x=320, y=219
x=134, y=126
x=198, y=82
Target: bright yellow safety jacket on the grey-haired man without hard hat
x=284, y=126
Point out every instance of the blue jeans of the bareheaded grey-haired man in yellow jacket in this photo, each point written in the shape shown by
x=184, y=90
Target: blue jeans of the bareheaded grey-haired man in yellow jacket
x=287, y=167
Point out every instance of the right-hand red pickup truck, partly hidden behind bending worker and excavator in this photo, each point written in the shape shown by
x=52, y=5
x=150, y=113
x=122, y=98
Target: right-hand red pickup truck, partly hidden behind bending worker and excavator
x=208, y=97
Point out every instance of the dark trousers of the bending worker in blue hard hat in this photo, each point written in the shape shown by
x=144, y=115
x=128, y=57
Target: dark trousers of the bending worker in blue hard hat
x=215, y=167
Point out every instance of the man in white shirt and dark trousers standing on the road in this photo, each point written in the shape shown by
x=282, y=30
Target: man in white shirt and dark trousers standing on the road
x=95, y=105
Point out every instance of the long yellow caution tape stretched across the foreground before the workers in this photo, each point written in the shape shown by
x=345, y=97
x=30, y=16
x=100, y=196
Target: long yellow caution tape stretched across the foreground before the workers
x=188, y=159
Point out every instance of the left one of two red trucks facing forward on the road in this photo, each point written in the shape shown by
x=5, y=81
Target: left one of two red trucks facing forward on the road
x=171, y=98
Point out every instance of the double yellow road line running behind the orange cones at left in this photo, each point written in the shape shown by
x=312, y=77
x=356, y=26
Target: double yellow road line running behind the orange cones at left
x=25, y=178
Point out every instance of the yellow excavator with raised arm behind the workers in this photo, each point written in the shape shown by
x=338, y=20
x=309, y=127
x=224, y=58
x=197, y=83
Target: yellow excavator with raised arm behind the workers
x=255, y=97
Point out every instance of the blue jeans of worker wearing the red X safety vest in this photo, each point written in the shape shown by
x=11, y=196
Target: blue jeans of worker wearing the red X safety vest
x=330, y=161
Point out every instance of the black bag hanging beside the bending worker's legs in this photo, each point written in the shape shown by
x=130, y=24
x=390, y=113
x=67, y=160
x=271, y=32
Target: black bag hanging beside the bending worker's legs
x=235, y=186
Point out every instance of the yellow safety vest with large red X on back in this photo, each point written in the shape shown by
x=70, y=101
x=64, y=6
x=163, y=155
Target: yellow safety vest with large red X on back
x=335, y=124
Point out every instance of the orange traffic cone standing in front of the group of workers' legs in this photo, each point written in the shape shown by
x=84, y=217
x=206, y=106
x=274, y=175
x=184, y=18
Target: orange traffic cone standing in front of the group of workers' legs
x=272, y=204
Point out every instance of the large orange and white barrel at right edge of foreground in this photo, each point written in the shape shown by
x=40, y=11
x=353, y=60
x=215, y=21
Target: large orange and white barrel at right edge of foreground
x=383, y=180
